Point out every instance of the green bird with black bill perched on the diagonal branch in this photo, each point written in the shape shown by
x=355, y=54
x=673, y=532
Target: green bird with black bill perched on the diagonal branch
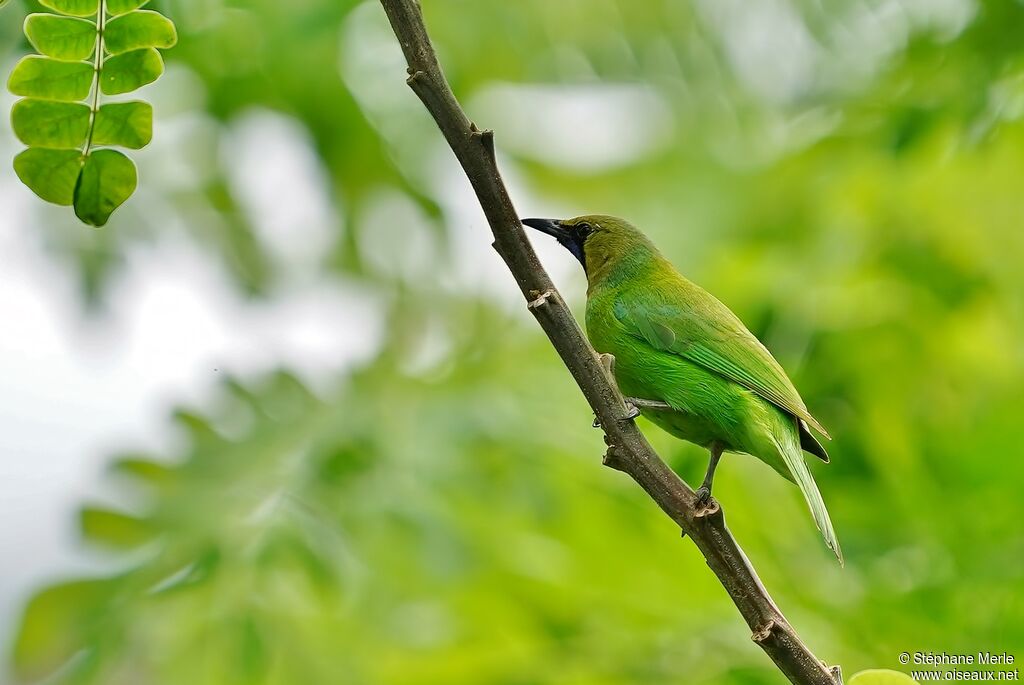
x=687, y=361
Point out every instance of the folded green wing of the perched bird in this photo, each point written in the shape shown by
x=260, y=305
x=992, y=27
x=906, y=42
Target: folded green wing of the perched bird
x=696, y=326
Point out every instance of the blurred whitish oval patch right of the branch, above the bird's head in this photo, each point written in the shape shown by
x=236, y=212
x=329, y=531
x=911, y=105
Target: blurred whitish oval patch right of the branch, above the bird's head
x=587, y=127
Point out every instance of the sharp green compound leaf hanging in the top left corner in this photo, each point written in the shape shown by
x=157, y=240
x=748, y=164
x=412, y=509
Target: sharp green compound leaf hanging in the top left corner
x=61, y=117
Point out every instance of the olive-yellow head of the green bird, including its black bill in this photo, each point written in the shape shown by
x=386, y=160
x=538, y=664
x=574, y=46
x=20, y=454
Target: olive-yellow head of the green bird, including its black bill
x=599, y=241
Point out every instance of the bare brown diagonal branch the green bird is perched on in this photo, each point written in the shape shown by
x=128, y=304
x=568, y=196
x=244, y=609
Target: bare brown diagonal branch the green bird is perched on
x=628, y=450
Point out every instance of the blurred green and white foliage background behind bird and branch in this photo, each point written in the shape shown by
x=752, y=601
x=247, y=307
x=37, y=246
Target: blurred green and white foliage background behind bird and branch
x=286, y=419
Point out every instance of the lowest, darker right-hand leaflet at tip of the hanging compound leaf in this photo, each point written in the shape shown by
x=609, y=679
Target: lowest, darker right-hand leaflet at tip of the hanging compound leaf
x=108, y=180
